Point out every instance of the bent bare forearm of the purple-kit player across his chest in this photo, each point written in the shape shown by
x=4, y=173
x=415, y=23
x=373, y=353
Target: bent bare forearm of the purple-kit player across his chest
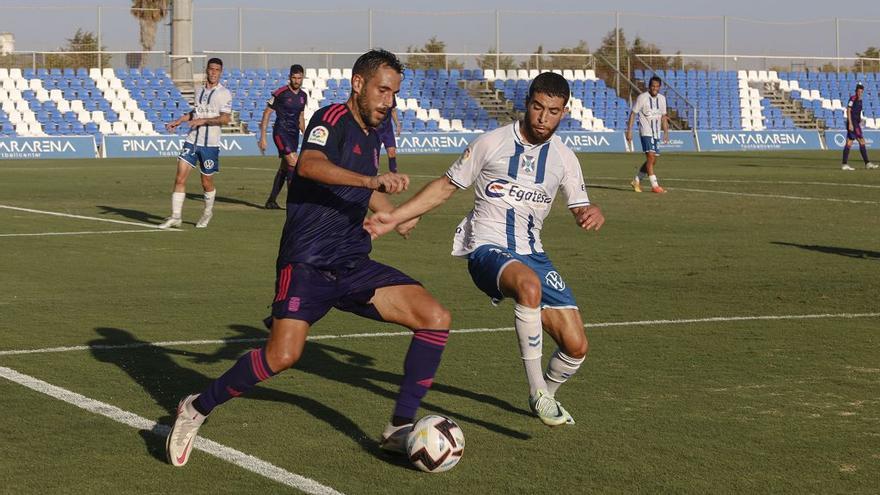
x=315, y=165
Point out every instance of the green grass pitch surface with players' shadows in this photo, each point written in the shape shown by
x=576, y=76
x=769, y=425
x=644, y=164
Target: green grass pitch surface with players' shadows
x=725, y=405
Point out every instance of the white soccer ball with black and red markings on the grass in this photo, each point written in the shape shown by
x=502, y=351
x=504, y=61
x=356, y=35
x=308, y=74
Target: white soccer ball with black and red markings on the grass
x=435, y=444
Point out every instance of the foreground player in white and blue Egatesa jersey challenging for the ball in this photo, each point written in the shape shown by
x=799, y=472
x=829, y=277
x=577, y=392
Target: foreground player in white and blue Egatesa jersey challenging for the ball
x=516, y=171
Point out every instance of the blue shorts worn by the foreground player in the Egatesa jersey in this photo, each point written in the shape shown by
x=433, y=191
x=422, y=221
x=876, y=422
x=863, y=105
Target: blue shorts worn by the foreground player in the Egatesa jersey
x=486, y=263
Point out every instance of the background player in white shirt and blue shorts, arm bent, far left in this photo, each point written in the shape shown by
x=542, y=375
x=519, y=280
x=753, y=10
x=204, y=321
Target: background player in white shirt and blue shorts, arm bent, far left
x=202, y=147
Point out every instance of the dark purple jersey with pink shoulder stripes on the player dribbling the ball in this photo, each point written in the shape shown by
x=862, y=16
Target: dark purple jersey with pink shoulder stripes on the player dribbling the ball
x=324, y=226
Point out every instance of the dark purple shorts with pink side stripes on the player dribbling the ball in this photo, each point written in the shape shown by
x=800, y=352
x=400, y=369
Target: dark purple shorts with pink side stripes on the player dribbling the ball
x=305, y=292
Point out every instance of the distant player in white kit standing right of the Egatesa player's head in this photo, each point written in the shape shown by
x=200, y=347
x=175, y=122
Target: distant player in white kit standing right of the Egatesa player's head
x=651, y=109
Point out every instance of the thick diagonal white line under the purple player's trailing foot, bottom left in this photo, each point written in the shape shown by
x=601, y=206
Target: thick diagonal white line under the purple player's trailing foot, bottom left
x=220, y=451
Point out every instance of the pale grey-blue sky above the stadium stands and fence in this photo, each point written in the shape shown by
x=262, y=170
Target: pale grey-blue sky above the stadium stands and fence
x=783, y=28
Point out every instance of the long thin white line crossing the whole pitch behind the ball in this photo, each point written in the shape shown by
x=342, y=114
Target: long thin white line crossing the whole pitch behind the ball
x=177, y=343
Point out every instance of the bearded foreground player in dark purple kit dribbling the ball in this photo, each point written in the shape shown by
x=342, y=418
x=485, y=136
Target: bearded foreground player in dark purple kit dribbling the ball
x=323, y=261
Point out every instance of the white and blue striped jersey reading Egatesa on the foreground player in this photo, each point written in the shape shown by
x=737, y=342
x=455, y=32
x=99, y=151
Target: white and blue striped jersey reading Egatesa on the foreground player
x=515, y=184
